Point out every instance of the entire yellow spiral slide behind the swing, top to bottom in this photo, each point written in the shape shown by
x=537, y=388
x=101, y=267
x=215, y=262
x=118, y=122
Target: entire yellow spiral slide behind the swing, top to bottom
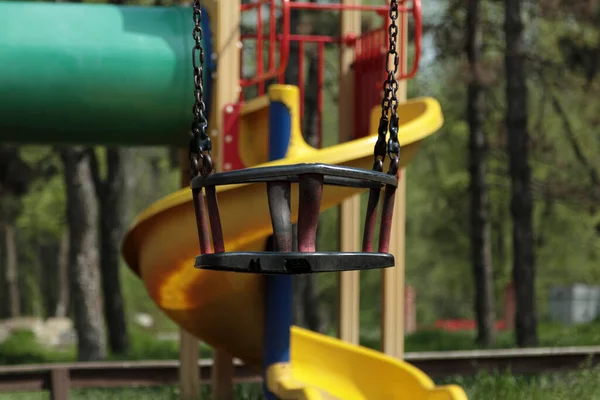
x=226, y=310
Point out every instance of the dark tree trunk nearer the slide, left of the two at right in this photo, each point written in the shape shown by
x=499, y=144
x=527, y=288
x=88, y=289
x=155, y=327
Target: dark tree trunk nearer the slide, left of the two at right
x=481, y=249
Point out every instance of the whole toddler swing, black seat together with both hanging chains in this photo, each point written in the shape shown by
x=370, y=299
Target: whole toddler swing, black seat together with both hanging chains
x=310, y=177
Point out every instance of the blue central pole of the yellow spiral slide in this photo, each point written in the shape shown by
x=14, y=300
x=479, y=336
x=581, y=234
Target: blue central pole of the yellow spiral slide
x=278, y=307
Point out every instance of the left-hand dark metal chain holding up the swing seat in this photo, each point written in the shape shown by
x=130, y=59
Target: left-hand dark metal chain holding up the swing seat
x=200, y=144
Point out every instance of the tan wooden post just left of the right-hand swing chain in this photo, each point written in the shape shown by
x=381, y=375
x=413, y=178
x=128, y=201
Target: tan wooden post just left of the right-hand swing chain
x=349, y=282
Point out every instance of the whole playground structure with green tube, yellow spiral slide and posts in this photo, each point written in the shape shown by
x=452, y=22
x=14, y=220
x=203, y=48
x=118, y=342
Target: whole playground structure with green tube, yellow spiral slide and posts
x=142, y=55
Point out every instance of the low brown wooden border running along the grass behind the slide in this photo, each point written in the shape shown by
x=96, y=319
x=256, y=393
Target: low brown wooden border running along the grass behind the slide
x=59, y=379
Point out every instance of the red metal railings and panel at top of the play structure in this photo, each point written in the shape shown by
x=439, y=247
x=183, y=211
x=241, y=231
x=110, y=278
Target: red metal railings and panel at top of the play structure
x=370, y=51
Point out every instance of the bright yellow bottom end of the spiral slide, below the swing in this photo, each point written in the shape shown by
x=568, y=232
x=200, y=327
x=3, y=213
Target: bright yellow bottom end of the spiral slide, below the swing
x=327, y=368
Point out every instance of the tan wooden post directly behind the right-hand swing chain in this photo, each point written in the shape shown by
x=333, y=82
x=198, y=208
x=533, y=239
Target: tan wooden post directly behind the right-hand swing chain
x=392, y=329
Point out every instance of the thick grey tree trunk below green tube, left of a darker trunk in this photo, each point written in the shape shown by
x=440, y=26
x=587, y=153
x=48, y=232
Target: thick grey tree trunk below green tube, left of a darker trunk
x=84, y=274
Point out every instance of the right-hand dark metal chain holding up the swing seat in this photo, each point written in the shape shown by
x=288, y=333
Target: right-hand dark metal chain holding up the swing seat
x=389, y=102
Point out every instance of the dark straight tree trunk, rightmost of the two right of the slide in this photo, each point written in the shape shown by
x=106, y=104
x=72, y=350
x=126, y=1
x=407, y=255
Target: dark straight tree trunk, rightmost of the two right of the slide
x=520, y=175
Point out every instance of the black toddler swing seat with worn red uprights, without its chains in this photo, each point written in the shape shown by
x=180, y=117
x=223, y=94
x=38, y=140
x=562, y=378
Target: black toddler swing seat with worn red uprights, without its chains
x=285, y=260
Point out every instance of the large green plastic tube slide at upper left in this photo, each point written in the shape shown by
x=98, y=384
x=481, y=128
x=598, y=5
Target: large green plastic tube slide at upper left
x=97, y=74
